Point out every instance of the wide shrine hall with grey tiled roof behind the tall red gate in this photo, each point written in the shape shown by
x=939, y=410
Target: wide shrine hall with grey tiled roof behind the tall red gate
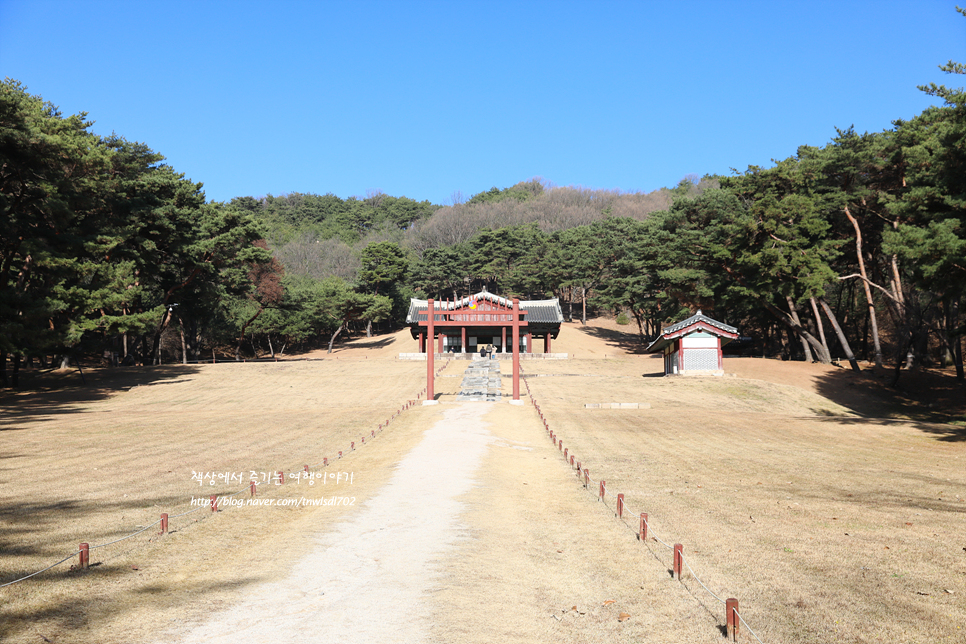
x=486, y=320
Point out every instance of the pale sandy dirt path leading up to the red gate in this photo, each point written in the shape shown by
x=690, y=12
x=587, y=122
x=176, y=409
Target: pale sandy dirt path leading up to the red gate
x=365, y=580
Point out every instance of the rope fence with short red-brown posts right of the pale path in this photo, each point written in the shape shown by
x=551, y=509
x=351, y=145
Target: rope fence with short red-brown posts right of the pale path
x=732, y=616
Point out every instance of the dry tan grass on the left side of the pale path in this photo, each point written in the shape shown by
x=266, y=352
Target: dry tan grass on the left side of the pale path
x=94, y=464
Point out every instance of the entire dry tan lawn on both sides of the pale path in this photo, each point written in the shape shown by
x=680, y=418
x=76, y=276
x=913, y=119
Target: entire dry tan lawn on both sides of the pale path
x=832, y=508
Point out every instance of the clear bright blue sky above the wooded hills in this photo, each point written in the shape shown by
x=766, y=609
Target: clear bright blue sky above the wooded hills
x=425, y=99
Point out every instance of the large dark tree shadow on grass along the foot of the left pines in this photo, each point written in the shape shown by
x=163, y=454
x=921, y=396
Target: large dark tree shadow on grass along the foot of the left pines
x=44, y=393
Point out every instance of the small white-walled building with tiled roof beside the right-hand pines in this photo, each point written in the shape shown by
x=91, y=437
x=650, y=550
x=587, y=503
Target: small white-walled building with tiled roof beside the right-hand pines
x=693, y=346
